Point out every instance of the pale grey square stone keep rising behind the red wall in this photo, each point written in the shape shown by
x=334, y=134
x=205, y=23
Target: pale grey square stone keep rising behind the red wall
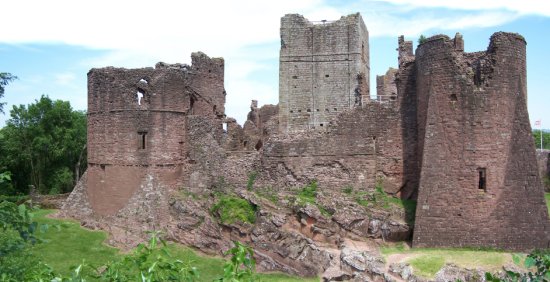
x=323, y=70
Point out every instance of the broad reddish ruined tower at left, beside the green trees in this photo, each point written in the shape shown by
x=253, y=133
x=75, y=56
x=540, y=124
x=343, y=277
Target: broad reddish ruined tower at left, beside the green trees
x=137, y=127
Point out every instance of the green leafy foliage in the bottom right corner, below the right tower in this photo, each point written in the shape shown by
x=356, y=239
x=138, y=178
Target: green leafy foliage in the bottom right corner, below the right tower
x=538, y=262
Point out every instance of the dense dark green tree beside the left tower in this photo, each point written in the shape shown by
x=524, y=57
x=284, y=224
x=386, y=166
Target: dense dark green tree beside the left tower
x=42, y=143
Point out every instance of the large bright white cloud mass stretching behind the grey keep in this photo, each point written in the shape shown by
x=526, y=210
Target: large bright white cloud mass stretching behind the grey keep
x=245, y=32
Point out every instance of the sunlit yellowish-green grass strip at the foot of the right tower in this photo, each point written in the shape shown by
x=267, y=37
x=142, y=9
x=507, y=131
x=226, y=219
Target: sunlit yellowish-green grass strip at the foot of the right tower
x=426, y=262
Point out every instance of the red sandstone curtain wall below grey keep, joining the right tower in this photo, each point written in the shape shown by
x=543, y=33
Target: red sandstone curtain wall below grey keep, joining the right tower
x=355, y=152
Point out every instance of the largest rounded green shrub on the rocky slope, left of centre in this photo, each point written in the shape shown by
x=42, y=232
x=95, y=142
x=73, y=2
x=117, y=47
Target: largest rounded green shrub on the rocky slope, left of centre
x=231, y=209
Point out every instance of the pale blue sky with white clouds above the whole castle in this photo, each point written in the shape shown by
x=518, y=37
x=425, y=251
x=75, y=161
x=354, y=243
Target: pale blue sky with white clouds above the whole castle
x=51, y=45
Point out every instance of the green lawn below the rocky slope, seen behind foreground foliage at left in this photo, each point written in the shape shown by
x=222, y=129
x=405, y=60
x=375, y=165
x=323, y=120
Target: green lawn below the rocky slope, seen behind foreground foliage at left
x=69, y=245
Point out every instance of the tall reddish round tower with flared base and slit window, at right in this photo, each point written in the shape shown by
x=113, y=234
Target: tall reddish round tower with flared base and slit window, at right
x=479, y=183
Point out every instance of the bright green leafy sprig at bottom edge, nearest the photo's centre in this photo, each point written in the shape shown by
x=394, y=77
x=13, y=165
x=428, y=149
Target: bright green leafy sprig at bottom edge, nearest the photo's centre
x=242, y=265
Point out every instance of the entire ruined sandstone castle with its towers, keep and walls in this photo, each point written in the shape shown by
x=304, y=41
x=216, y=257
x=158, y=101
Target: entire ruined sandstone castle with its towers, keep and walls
x=448, y=128
